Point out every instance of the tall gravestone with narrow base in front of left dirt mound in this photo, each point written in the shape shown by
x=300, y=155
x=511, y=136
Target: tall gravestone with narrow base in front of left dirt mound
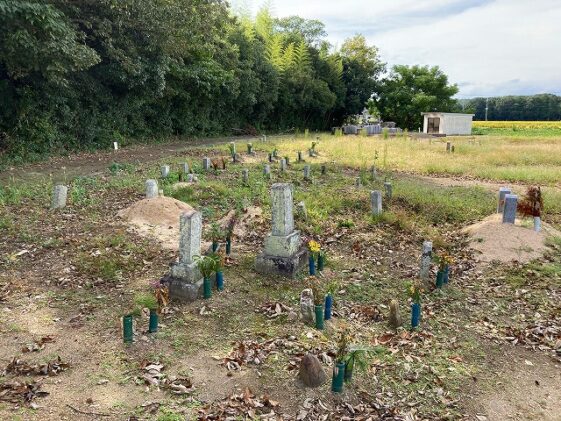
x=185, y=280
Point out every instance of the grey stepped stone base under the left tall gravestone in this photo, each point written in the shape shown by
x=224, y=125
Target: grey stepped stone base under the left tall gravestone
x=185, y=282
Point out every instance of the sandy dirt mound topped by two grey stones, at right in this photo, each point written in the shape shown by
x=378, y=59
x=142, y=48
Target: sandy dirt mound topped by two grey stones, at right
x=507, y=242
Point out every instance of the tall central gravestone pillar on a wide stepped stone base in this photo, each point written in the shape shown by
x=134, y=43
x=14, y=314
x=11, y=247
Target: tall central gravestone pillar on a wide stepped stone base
x=284, y=253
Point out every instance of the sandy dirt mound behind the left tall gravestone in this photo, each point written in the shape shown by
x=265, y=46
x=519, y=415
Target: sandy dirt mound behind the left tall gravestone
x=157, y=218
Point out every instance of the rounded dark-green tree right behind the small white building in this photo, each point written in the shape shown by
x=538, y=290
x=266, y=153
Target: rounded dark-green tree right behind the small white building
x=410, y=90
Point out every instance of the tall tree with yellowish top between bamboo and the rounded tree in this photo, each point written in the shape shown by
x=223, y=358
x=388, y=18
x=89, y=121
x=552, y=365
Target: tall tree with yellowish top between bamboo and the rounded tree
x=361, y=69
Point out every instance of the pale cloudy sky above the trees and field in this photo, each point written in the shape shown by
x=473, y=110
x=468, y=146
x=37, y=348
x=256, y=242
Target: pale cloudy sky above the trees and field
x=486, y=47
